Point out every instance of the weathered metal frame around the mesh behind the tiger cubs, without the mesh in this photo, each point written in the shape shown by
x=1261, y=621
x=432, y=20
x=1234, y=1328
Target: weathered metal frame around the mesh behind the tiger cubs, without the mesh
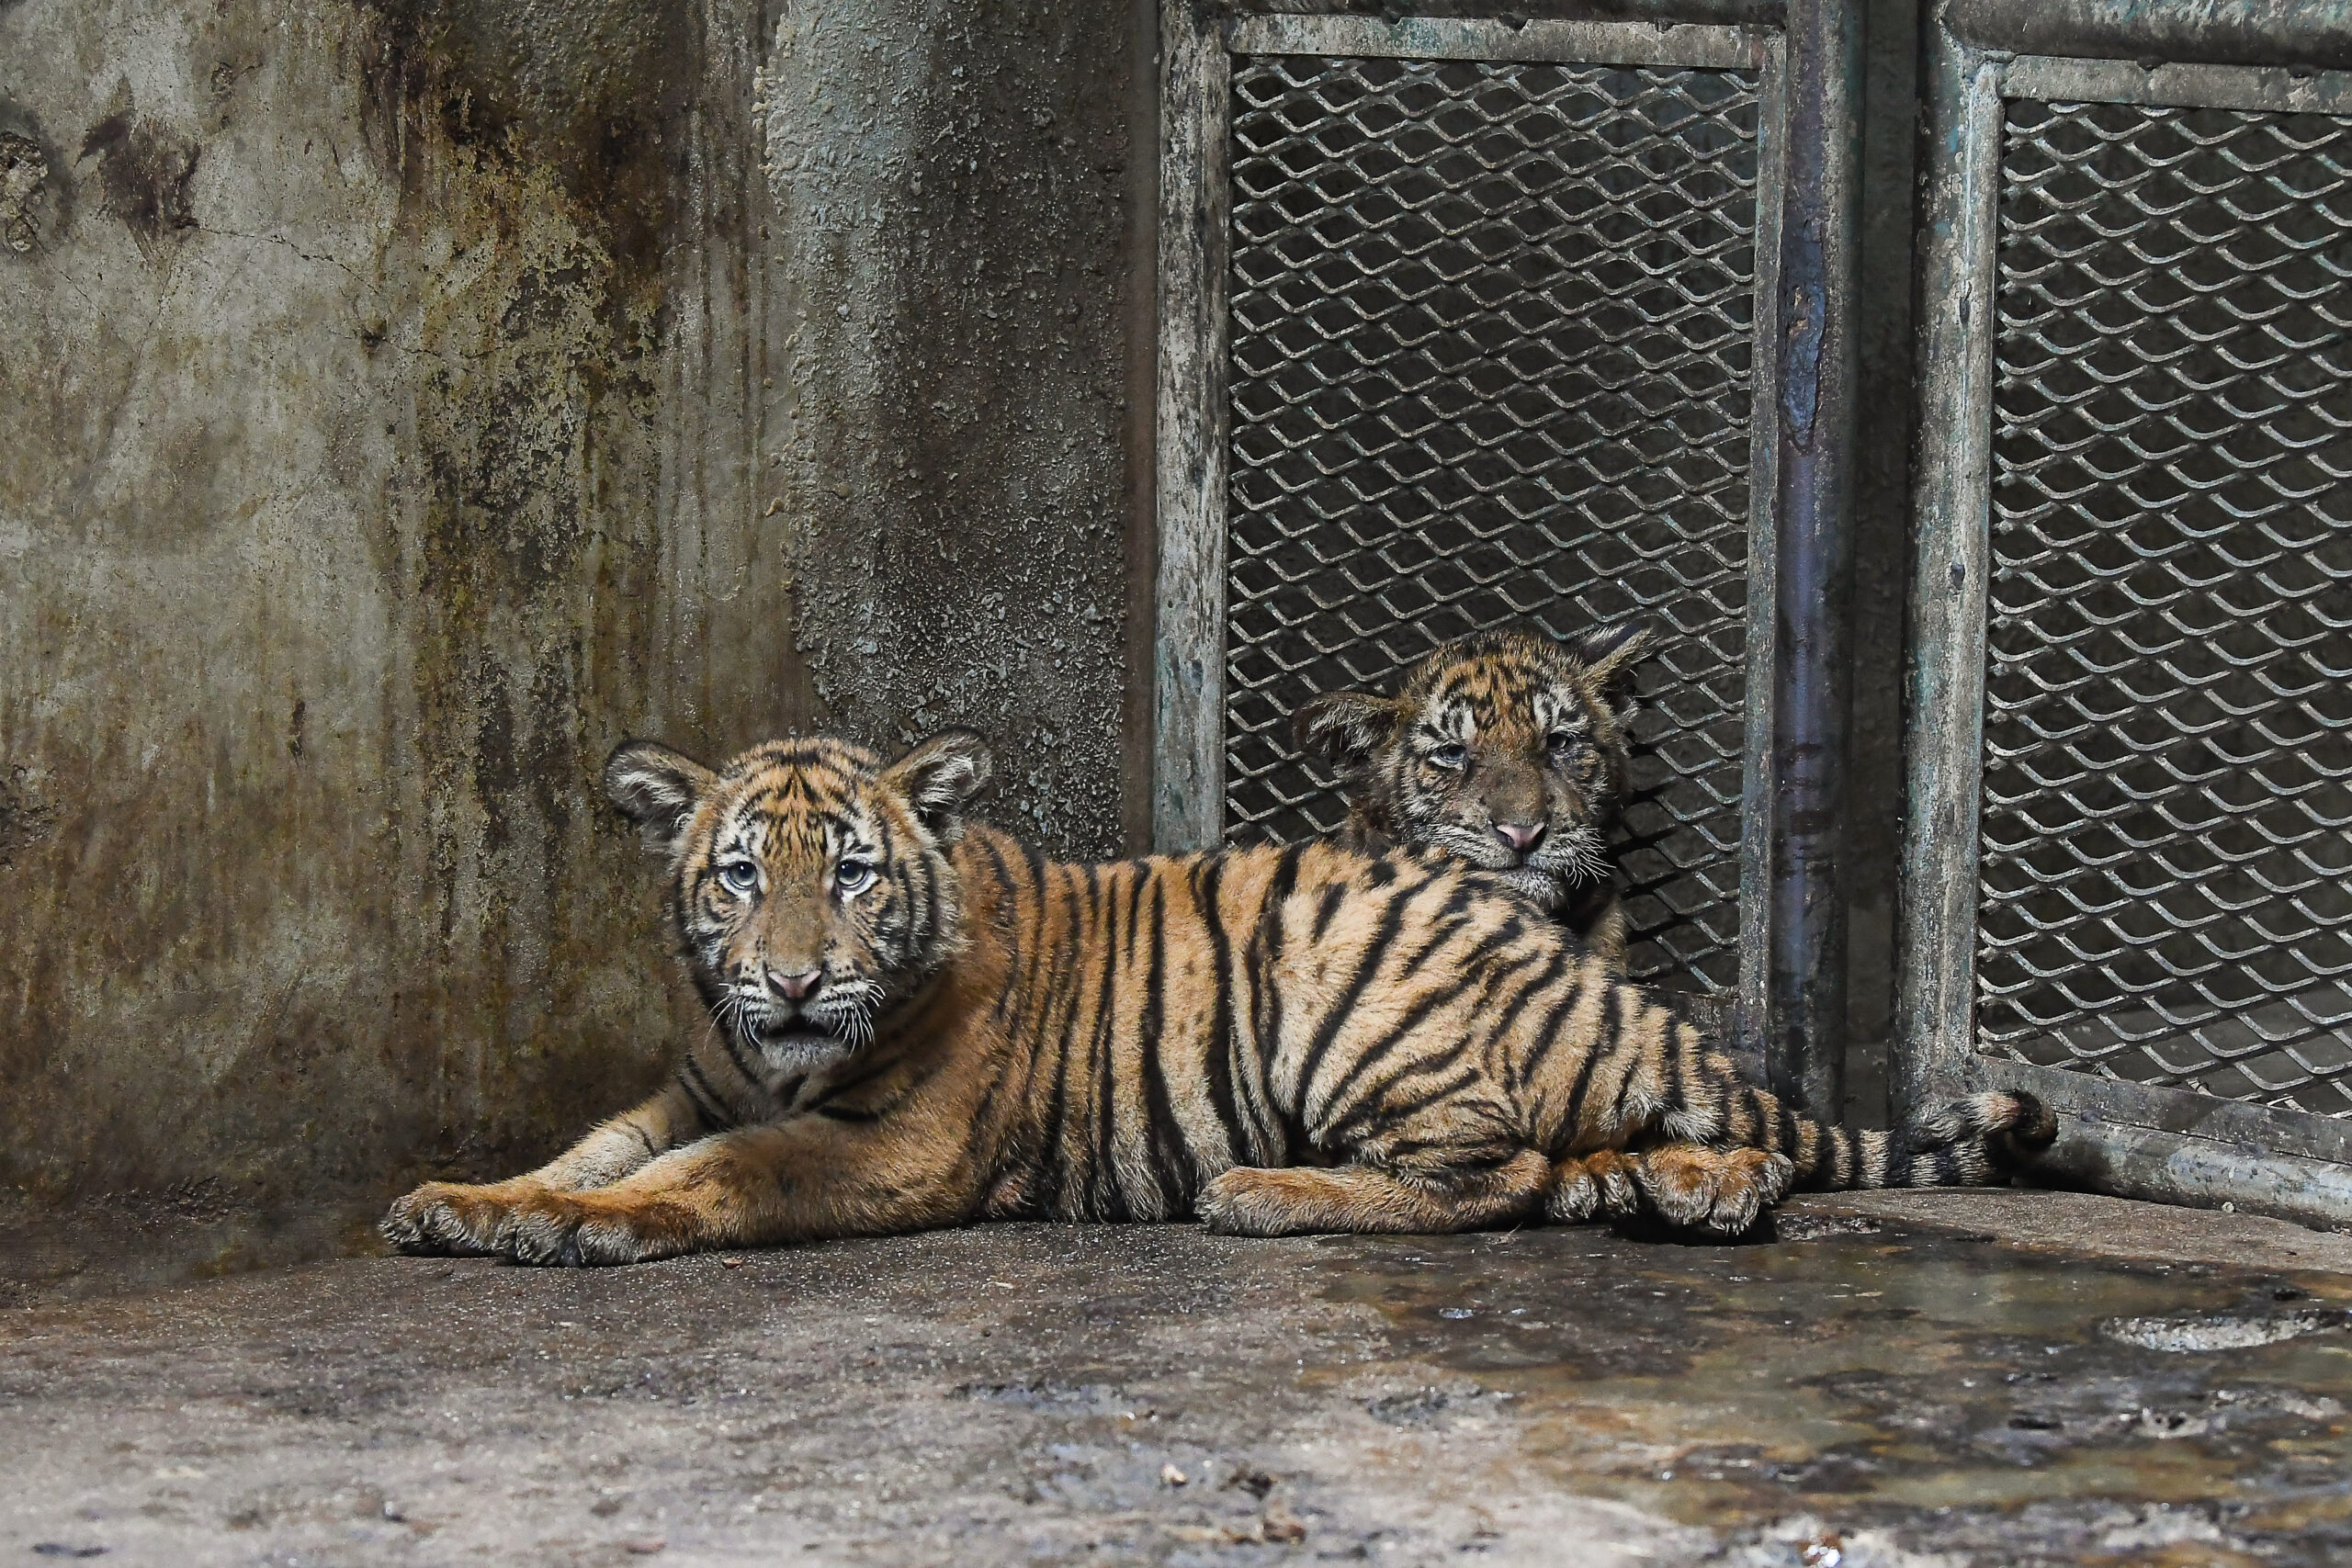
x=1789, y=1007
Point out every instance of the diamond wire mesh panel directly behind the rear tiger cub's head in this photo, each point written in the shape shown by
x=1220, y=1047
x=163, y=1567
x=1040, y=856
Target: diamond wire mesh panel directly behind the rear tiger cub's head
x=1490, y=366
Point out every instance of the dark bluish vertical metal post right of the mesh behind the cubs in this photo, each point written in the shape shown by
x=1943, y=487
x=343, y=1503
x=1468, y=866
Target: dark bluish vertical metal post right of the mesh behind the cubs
x=1805, y=1033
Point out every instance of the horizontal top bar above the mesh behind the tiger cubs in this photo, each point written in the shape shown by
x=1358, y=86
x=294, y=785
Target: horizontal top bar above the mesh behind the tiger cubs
x=1553, y=43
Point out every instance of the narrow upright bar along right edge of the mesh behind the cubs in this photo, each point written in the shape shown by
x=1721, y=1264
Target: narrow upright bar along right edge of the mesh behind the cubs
x=1751, y=1010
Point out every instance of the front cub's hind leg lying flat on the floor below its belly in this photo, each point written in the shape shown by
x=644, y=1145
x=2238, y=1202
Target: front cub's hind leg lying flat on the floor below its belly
x=1375, y=1200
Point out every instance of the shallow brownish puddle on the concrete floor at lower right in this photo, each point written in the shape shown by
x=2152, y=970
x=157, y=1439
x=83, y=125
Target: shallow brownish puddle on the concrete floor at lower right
x=1892, y=1376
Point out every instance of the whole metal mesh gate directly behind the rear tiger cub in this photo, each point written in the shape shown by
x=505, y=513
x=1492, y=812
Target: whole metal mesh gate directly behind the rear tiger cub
x=1462, y=328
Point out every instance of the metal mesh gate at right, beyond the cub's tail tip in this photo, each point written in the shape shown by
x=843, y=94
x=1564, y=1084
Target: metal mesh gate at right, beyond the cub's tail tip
x=2130, y=847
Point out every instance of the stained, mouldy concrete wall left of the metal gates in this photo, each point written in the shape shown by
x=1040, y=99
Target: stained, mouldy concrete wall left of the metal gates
x=406, y=401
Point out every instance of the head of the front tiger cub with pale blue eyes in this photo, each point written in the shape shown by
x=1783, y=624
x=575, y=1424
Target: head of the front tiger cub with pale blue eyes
x=810, y=883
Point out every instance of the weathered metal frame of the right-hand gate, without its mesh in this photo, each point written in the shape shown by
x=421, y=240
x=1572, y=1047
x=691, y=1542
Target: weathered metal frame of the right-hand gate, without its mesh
x=2163, y=1144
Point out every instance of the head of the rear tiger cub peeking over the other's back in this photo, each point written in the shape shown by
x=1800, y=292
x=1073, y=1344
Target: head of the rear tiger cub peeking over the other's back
x=1502, y=749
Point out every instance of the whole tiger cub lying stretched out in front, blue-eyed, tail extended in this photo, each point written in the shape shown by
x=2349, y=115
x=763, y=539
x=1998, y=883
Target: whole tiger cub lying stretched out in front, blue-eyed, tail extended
x=921, y=1024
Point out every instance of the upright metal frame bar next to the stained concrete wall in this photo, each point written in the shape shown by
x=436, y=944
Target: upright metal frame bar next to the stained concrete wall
x=1189, y=751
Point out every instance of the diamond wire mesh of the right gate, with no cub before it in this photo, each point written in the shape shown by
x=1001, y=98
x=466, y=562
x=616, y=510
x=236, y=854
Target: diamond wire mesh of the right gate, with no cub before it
x=2167, y=824
